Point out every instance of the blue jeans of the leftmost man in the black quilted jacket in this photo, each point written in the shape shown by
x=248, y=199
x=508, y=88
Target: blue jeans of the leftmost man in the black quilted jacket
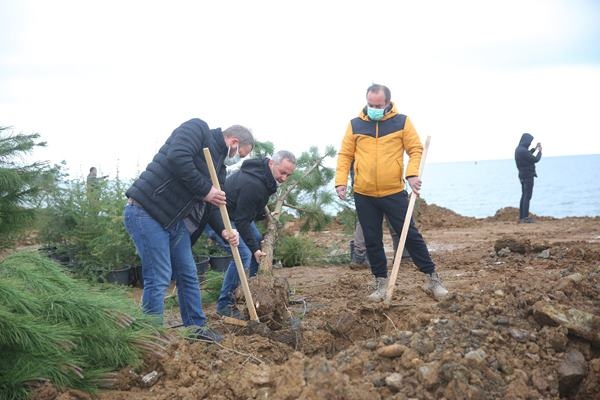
x=165, y=253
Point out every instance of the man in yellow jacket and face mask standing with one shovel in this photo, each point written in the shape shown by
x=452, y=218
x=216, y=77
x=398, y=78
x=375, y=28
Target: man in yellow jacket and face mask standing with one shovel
x=374, y=146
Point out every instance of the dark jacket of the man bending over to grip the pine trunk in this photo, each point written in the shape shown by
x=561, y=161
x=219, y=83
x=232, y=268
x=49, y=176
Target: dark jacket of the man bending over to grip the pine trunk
x=248, y=191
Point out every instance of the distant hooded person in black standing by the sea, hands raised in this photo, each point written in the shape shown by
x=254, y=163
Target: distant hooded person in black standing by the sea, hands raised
x=526, y=161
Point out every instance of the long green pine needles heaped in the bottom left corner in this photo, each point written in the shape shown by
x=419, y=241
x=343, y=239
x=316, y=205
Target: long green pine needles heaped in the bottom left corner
x=56, y=329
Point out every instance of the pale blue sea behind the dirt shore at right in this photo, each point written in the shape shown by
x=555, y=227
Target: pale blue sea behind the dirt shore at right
x=565, y=186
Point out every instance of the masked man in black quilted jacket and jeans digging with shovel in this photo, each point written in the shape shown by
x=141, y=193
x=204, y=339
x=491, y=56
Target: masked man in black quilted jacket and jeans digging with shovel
x=173, y=197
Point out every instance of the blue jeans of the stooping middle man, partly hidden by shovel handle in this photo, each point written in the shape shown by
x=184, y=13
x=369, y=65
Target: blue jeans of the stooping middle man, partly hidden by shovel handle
x=231, y=280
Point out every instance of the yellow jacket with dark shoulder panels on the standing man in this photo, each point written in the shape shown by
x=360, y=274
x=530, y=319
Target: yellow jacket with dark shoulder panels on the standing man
x=375, y=151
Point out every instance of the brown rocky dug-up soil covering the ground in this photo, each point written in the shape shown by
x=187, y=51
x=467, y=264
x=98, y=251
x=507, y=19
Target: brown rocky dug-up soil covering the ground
x=522, y=322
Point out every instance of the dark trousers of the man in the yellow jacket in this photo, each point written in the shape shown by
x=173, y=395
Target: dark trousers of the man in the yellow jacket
x=370, y=211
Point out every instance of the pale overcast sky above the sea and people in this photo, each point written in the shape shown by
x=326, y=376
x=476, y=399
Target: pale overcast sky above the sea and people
x=105, y=82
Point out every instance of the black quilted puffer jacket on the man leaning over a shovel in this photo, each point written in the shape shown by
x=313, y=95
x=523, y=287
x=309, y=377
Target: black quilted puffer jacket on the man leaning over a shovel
x=178, y=175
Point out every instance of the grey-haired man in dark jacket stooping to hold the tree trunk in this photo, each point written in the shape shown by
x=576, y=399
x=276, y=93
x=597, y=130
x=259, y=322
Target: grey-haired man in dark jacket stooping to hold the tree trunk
x=248, y=191
